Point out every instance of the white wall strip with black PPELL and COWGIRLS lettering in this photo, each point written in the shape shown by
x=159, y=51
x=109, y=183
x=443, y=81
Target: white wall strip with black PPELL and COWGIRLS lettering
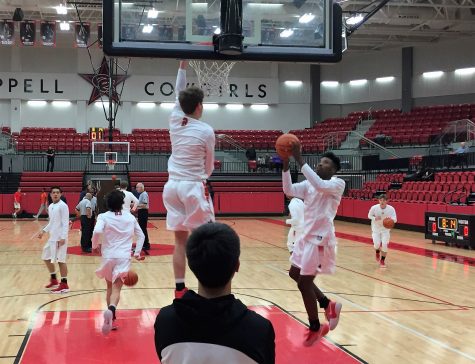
x=70, y=86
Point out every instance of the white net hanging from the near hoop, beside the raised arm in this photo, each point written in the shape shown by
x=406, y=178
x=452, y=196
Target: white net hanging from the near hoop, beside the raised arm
x=212, y=76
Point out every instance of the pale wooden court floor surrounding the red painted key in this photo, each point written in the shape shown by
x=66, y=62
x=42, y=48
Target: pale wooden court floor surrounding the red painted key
x=421, y=309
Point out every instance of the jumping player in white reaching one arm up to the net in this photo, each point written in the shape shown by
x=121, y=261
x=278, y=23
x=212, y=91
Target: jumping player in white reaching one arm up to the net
x=185, y=194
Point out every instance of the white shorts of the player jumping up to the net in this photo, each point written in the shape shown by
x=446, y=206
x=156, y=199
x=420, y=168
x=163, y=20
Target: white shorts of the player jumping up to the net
x=188, y=205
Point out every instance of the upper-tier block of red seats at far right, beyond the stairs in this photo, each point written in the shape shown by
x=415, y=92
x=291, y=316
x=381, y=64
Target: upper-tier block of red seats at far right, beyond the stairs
x=420, y=126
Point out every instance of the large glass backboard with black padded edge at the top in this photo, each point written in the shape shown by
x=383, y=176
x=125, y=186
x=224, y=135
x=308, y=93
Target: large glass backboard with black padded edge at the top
x=273, y=30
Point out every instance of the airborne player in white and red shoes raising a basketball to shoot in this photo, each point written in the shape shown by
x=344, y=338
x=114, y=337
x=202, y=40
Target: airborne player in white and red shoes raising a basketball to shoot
x=315, y=252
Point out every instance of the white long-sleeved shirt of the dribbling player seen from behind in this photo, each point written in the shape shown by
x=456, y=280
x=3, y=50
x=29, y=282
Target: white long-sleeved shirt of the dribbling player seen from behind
x=117, y=231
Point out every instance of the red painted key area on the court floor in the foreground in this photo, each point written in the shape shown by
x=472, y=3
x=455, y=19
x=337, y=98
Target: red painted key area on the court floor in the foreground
x=75, y=337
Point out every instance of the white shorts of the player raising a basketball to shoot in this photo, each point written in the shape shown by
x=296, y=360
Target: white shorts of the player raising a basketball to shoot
x=313, y=259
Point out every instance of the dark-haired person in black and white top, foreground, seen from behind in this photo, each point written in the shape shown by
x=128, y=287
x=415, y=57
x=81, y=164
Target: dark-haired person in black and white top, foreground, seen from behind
x=213, y=326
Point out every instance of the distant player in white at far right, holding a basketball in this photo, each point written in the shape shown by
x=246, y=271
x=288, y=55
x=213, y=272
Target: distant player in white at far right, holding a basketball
x=377, y=213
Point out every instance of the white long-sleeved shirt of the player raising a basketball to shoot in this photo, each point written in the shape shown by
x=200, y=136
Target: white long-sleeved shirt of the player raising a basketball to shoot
x=321, y=199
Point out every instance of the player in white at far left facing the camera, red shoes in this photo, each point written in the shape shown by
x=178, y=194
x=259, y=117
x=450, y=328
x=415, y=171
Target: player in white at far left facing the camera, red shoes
x=55, y=249
